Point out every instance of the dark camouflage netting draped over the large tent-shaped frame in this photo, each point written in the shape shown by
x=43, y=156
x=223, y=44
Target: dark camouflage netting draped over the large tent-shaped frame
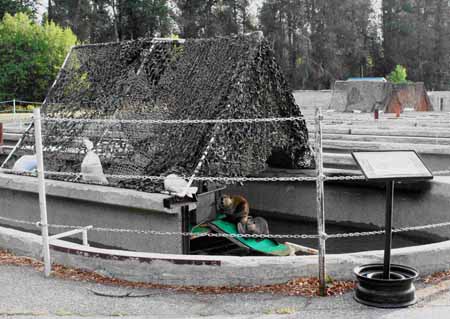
x=221, y=78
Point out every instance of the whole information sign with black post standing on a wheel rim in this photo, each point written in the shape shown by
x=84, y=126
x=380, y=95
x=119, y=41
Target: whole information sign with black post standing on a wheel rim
x=388, y=285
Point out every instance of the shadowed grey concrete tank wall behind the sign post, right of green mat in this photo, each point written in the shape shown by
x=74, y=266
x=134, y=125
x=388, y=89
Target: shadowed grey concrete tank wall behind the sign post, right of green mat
x=355, y=203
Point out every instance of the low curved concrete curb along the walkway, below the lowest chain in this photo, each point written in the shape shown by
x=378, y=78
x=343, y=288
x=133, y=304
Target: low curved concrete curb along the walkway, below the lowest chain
x=217, y=270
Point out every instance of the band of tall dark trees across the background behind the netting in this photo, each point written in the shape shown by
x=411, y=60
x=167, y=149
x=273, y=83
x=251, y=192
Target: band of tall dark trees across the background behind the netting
x=315, y=41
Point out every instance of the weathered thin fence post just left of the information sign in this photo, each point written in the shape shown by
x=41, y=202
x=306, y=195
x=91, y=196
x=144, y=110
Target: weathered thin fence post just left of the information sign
x=320, y=202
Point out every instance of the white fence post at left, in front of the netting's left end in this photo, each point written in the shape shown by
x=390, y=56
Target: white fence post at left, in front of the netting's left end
x=41, y=185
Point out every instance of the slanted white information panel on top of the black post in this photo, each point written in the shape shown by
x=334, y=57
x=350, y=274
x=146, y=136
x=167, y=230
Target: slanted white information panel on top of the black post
x=389, y=165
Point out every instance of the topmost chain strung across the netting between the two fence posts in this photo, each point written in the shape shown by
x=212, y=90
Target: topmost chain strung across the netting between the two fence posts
x=157, y=121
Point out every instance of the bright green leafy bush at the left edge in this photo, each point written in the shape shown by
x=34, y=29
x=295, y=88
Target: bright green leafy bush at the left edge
x=30, y=56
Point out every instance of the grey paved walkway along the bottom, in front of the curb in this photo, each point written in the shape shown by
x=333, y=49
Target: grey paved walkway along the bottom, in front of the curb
x=25, y=293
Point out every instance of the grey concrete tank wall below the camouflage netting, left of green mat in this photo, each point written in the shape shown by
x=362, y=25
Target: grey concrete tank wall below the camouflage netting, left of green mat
x=82, y=205
